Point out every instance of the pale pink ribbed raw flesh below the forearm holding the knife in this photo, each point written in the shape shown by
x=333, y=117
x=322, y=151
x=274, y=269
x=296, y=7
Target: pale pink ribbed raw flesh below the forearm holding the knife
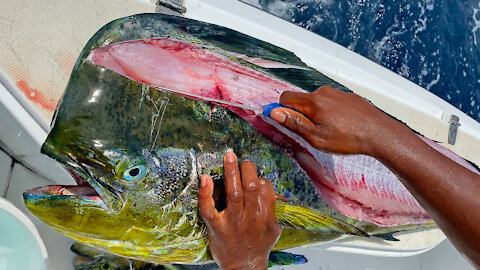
x=355, y=182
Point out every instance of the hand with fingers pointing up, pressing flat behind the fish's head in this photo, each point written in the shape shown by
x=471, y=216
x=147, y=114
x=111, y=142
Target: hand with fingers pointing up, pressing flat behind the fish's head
x=242, y=235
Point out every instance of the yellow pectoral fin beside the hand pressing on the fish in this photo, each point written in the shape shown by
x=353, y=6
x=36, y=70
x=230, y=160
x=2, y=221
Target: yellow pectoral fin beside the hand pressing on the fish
x=302, y=218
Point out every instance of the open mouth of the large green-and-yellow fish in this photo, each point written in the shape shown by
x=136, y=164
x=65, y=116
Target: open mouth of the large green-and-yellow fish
x=90, y=193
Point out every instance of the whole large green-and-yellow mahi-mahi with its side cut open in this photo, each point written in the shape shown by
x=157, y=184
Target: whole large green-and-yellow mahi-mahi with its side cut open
x=137, y=152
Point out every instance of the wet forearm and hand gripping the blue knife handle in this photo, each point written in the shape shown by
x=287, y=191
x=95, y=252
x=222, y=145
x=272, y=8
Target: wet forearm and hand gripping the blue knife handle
x=345, y=123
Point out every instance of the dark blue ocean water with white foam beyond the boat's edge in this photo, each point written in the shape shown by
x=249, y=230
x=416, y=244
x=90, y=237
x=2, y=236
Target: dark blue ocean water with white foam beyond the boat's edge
x=435, y=44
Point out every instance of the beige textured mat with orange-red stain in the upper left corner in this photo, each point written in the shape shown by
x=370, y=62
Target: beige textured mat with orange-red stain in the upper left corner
x=41, y=40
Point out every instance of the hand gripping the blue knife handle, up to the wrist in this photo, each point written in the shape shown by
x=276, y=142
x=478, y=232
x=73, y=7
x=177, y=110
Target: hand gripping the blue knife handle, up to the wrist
x=331, y=120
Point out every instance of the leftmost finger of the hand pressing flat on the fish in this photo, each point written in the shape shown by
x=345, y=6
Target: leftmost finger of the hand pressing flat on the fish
x=206, y=205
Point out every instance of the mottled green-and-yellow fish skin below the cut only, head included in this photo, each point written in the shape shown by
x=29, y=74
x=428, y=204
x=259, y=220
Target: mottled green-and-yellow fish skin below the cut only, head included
x=155, y=219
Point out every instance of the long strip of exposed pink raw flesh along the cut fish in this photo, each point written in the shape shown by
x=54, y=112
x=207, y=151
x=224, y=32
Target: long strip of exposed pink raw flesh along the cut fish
x=355, y=185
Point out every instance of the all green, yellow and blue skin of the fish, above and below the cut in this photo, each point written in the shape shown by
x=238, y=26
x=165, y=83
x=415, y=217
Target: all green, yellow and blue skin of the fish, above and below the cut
x=106, y=120
